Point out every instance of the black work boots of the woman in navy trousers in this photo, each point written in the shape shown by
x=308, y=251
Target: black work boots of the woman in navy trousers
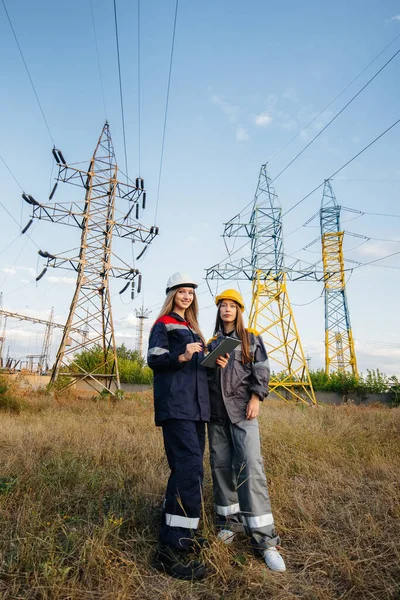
x=178, y=563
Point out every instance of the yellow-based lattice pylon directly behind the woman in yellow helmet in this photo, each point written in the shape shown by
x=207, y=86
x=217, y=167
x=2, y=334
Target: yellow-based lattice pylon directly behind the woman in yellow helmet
x=271, y=314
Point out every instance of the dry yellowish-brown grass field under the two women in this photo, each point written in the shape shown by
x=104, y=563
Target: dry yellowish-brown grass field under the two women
x=81, y=484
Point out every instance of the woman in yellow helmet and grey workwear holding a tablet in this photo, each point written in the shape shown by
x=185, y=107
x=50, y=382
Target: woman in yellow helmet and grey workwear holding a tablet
x=240, y=486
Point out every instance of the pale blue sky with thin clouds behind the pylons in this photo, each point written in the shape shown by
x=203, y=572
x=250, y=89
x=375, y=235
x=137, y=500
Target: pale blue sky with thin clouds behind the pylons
x=246, y=78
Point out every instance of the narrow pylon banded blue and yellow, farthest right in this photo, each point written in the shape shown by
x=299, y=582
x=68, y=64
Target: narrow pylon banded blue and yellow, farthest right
x=339, y=343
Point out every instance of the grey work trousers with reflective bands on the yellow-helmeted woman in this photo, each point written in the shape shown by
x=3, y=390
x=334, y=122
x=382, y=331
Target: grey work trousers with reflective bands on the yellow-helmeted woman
x=240, y=487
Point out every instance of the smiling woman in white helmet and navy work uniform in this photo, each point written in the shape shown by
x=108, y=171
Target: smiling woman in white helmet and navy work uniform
x=181, y=404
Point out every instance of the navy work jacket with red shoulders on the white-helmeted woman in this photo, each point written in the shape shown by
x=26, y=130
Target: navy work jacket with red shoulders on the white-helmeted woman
x=180, y=389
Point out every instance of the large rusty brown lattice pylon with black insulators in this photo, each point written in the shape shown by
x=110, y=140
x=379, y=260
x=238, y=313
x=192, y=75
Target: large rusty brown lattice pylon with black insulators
x=91, y=303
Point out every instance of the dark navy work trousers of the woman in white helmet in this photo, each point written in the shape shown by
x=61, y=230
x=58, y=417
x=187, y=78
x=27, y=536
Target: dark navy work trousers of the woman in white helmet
x=184, y=443
